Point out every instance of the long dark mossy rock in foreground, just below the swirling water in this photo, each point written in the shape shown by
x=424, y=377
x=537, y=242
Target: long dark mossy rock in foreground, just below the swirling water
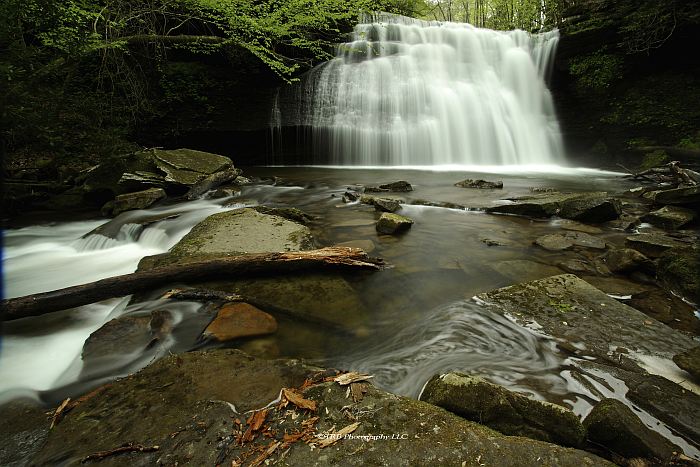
x=510, y=413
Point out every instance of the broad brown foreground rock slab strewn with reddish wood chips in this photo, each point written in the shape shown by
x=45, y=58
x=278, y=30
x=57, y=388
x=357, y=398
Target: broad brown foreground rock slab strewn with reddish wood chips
x=184, y=405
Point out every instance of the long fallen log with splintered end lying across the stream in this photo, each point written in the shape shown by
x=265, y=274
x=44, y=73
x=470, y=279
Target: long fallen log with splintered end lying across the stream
x=233, y=266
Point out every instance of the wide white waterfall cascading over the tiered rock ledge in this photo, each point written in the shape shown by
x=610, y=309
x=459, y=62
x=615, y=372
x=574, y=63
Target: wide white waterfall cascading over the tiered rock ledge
x=409, y=92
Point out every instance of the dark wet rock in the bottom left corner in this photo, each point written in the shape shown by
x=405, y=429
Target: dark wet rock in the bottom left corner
x=24, y=427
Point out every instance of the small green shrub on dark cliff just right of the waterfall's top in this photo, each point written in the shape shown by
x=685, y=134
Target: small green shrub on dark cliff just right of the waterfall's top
x=596, y=71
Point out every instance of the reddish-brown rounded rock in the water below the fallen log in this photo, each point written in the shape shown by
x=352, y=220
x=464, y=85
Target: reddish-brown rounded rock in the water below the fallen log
x=236, y=320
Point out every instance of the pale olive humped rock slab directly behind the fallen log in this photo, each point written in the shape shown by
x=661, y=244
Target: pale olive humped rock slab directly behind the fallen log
x=243, y=231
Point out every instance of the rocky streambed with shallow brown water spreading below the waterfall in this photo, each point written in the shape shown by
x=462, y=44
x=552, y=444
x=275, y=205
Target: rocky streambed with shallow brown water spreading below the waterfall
x=495, y=298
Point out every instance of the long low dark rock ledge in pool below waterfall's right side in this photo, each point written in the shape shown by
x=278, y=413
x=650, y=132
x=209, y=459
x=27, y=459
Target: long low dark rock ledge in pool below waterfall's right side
x=594, y=207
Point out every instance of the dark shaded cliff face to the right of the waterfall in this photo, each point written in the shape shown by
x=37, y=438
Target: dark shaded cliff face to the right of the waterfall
x=626, y=75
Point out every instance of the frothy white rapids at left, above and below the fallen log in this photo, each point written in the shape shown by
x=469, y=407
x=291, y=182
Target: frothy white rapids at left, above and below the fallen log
x=42, y=353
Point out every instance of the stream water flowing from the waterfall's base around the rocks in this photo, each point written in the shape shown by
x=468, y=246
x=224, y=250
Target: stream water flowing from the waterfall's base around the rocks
x=419, y=316
